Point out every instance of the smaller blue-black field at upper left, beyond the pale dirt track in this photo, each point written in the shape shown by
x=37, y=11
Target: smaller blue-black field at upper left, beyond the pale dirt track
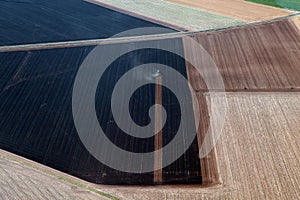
x=34, y=21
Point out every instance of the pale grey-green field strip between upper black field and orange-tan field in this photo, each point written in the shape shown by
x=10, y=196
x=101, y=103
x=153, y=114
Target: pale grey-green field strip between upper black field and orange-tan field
x=181, y=16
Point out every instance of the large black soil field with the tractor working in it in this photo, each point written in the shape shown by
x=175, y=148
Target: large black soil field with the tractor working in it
x=36, y=118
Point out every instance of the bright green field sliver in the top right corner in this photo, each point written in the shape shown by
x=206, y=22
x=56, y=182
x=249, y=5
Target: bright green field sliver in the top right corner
x=288, y=4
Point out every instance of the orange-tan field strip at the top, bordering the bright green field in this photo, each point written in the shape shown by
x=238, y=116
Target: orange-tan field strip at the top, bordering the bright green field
x=237, y=9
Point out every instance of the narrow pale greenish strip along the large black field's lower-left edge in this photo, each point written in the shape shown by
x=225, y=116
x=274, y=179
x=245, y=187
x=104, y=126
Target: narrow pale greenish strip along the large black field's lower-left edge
x=60, y=177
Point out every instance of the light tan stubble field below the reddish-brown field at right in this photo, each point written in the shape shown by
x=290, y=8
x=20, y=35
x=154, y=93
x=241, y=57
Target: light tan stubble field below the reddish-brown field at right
x=258, y=153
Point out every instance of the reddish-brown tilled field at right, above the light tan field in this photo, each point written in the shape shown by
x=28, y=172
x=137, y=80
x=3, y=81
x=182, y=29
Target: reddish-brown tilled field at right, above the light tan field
x=254, y=57
